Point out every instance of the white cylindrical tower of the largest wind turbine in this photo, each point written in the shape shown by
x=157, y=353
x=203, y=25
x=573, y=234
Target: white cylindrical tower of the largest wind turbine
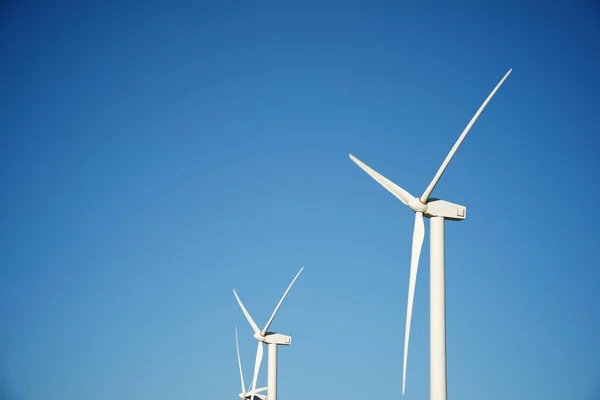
x=437, y=316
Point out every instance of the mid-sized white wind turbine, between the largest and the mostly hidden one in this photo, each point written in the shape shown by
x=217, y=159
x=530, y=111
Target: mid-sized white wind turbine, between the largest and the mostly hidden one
x=272, y=339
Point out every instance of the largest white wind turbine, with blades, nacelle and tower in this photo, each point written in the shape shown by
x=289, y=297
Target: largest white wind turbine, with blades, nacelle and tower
x=437, y=211
